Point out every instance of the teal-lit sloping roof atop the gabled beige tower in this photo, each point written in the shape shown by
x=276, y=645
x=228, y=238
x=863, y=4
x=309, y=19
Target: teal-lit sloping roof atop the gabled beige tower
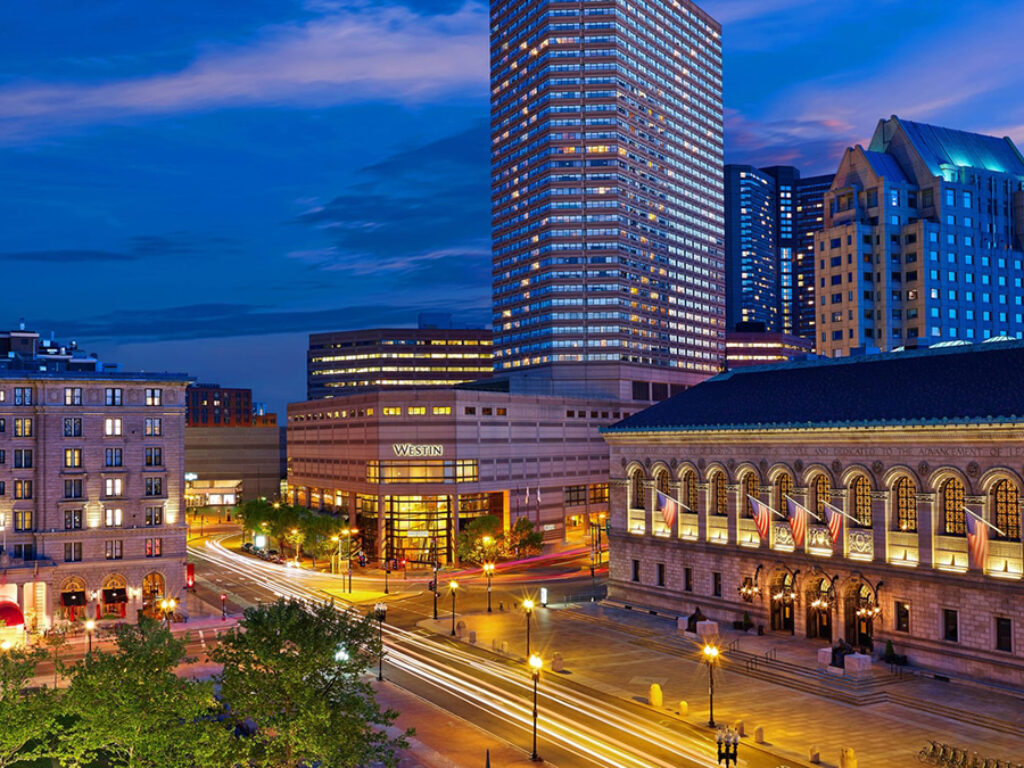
x=947, y=147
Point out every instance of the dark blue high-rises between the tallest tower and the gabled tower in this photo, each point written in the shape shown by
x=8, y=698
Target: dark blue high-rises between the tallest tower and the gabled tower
x=772, y=216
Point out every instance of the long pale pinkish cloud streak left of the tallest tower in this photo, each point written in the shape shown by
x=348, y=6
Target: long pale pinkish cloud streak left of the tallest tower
x=386, y=53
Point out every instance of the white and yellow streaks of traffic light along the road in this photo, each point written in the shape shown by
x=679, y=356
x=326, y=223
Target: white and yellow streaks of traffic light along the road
x=480, y=680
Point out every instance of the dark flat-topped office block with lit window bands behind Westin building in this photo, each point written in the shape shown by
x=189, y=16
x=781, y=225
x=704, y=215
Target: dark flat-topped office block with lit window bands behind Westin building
x=432, y=356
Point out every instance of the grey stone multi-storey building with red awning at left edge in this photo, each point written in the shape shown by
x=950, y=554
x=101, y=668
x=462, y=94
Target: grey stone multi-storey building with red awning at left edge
x=92, y=466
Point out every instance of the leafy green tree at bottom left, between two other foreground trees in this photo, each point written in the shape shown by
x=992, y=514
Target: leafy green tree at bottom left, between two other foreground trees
x=129, y=708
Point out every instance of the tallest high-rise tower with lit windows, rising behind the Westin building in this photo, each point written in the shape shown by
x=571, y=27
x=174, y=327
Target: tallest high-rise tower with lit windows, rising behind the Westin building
x=607, y=192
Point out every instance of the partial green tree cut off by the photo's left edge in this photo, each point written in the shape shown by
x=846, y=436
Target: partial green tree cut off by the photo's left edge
x=27, y=717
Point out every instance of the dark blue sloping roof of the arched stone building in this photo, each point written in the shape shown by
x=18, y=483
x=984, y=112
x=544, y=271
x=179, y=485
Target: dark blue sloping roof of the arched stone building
x=978, y=383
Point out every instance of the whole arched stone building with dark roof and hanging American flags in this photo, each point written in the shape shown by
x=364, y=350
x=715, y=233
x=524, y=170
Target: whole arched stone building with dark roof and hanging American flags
x=903, y=444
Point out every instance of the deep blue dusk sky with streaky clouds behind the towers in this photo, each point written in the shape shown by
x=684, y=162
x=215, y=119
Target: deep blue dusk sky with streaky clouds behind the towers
x=197, y=186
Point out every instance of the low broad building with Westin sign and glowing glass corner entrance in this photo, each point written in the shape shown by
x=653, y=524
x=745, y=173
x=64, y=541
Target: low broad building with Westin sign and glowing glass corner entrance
x=410, y=467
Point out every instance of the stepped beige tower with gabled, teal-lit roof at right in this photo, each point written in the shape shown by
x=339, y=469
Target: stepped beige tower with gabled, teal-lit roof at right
x=924, y=241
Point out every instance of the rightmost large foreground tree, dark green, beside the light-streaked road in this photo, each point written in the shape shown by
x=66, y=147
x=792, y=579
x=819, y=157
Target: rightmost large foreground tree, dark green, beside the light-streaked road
x=297, y=672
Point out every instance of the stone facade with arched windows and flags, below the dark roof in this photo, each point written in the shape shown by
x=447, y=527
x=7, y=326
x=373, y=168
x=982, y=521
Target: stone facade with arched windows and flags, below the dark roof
x=902, y=573
